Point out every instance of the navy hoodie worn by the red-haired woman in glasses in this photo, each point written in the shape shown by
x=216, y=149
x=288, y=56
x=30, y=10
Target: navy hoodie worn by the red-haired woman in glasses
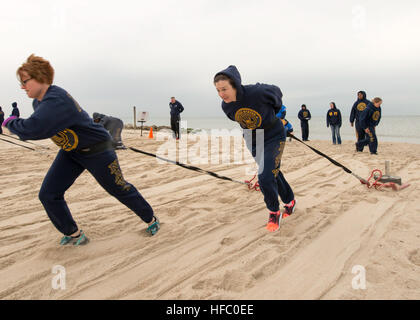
x=59, y=117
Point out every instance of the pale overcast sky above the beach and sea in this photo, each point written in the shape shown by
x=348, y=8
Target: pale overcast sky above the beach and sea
x=112, y=55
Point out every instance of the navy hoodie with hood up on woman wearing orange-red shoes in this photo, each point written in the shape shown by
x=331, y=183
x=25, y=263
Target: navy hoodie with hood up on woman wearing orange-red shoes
x=256, y=105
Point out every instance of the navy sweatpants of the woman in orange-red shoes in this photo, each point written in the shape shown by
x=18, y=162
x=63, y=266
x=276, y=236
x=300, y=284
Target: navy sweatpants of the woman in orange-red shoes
x=271, y=180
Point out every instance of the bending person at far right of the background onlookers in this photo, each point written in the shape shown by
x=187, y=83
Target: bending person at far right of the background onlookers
x=368, y=121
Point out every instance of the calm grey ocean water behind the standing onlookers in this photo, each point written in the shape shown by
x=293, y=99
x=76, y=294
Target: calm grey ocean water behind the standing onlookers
x=391, y=128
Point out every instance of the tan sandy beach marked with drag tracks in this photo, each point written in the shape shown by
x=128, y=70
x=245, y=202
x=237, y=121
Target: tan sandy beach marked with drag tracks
x=213, y=243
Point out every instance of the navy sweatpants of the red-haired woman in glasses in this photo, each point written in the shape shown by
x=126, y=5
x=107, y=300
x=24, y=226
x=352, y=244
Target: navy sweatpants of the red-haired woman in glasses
x=104, y=166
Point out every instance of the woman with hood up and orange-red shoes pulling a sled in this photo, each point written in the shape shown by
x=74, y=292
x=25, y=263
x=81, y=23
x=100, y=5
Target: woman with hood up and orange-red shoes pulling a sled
x=255, y=107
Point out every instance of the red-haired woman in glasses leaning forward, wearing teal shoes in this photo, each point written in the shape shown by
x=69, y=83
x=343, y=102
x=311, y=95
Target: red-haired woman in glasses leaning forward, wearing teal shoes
x=84, y=145
